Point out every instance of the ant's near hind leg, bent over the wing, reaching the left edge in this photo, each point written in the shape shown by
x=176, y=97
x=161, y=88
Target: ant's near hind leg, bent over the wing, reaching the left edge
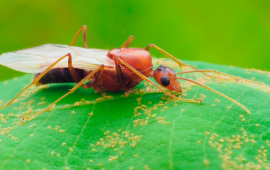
x=36, y=80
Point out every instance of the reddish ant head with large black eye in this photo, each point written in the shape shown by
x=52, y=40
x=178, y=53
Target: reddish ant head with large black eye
x=166, y=77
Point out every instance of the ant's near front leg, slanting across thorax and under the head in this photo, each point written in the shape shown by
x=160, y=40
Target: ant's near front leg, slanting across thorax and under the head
x=151, y=82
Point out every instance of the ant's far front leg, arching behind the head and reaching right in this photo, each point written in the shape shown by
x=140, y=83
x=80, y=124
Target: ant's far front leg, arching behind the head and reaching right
x=181, y=64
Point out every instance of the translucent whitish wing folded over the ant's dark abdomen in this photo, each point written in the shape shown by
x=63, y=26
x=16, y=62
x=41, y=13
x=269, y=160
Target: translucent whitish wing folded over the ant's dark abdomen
x=37, y=59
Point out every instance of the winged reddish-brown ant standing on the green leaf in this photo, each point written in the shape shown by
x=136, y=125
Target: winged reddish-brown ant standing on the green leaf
x=121, y=69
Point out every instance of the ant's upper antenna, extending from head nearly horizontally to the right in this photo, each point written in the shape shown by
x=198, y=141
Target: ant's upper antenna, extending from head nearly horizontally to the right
x=224, y=74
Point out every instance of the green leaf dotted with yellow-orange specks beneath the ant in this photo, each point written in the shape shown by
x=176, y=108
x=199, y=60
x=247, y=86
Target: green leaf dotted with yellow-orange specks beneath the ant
x=139, y=129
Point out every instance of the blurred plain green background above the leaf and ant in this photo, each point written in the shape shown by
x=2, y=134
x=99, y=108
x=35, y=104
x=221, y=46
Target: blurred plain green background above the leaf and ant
x=231, y=32
